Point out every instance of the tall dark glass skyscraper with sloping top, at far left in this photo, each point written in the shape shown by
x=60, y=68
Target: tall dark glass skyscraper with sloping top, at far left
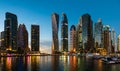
x=10, y=29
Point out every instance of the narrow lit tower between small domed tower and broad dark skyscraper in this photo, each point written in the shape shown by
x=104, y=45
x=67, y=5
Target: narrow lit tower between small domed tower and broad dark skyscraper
x=79, y=37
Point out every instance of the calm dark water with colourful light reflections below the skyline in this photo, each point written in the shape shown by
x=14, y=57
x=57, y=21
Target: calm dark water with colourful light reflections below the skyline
x=54, y=63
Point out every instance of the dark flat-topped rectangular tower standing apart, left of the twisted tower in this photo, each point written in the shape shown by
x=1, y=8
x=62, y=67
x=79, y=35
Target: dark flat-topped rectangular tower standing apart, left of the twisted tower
x=35, y=37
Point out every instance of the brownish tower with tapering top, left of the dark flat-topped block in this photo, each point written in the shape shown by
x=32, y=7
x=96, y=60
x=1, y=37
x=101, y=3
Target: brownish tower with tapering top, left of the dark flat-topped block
x=22, y=42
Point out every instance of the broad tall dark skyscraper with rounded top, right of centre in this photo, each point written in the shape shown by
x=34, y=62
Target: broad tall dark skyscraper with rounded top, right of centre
x=87, y=32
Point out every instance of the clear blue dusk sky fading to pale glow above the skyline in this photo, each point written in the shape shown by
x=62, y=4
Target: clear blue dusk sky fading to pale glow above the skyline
x=39, y=12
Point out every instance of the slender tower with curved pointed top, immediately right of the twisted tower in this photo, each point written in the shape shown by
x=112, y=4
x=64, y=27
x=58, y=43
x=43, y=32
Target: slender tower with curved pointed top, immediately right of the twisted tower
x=64, y=33
